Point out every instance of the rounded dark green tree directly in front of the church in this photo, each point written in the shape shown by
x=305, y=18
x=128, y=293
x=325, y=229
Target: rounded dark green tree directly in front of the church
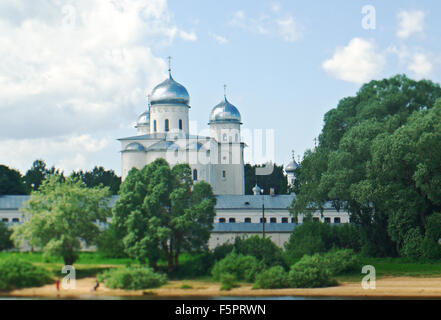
x=161, y=211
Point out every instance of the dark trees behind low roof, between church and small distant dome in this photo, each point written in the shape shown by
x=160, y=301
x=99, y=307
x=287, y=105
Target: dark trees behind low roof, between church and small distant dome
x=276, y=180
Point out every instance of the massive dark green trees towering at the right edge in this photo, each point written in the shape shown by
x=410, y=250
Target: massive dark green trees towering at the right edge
x=378, y=157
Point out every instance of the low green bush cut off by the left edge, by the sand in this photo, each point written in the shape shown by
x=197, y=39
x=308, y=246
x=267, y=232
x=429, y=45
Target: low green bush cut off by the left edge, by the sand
x=16, y=274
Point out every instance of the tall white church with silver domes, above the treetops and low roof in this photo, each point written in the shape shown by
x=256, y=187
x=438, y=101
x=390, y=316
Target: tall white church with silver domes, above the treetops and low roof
x=163, y=132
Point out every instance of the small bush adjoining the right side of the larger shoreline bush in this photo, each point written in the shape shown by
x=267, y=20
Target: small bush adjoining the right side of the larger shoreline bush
x=341, y=261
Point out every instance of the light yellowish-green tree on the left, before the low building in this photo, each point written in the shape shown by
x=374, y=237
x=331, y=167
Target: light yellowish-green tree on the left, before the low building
x=62, y=215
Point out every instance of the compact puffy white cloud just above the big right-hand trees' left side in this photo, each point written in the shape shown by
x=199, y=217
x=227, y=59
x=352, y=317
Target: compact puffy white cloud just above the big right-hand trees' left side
x=358, y=62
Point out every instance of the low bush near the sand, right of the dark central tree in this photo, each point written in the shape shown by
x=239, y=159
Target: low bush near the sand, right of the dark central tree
x=243, y=268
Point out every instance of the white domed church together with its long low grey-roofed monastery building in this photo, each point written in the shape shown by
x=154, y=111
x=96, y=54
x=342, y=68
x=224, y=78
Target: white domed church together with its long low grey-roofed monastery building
x=163, y=132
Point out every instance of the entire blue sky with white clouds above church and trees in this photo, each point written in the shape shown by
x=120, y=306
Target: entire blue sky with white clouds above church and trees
x=74, y=74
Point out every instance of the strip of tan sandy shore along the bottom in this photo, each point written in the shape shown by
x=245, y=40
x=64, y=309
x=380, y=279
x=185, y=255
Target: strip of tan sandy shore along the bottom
x=394, y=287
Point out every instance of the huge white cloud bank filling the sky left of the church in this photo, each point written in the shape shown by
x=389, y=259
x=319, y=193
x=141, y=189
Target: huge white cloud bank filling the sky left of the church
x=72, y=70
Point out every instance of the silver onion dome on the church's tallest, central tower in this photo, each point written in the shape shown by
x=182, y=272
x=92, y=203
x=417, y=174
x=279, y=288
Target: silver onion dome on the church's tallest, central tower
x=169, y=91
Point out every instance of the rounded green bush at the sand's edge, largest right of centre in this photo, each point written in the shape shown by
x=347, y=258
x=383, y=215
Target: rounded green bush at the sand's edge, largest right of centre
x=310, y=272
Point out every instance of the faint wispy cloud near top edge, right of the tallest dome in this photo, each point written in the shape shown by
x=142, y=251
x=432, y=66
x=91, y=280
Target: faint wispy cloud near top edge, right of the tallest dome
x=275, y=24
